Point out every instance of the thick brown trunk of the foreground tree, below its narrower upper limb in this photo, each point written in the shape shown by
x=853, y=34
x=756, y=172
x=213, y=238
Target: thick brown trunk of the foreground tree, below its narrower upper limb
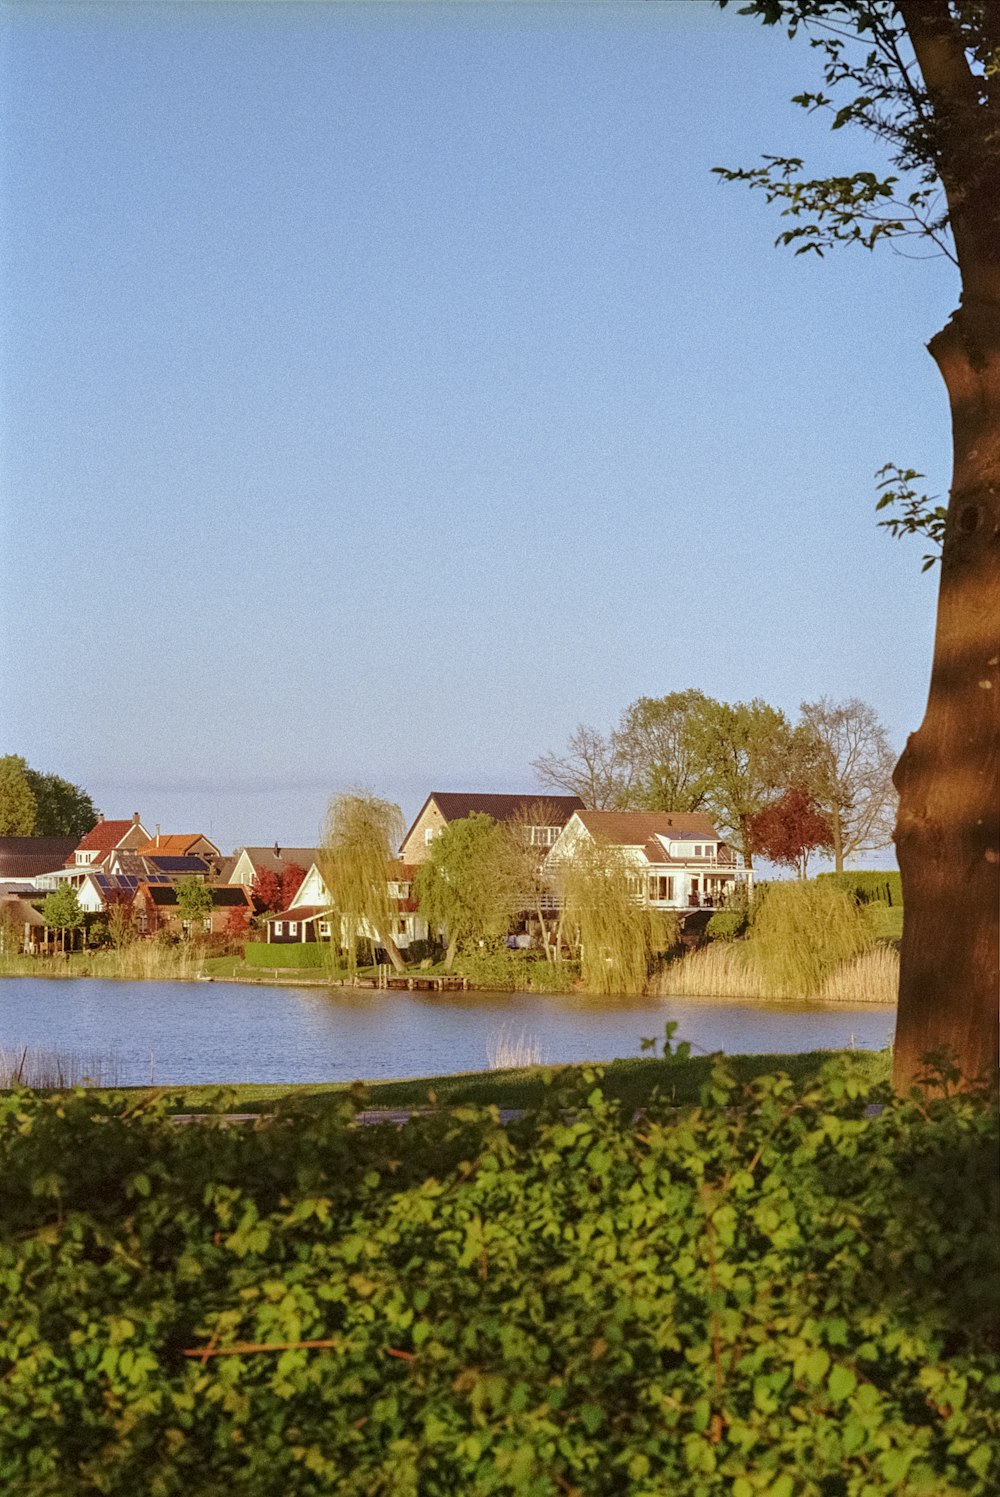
x=948, y=827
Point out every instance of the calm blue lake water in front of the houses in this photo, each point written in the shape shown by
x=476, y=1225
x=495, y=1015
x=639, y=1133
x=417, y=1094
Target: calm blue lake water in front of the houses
x=216, y=1032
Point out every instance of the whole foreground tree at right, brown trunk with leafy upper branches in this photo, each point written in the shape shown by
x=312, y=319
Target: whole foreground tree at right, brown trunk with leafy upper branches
x=923, y=77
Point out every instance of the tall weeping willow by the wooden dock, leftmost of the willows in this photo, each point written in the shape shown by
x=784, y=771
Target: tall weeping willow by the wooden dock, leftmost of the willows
x=357, y=860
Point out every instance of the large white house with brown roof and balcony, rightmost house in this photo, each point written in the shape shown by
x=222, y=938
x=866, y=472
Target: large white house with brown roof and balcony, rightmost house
x=682, y=863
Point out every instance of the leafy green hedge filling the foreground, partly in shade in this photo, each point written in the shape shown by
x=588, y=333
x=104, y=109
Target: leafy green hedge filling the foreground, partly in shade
x=767, y=1294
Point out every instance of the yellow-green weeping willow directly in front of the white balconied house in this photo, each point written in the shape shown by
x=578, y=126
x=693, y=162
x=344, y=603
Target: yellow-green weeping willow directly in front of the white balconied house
x=618, y=936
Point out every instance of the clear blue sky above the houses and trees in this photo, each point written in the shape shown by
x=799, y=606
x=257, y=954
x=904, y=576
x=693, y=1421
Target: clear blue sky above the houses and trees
x=388, y=388
